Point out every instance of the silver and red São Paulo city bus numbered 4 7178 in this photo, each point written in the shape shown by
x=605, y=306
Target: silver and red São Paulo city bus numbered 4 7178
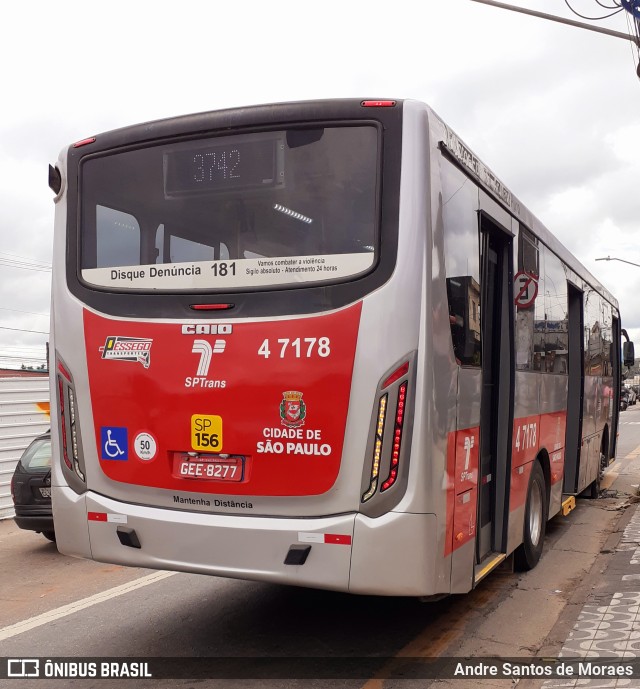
x=319, y=344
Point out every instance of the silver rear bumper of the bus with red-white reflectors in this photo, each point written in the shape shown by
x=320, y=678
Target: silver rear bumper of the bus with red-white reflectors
x=348, y=552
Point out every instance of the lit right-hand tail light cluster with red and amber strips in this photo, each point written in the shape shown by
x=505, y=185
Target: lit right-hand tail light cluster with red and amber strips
x=396, y=441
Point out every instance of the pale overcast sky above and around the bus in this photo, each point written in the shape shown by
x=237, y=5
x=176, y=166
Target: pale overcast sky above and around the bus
x=553, y=110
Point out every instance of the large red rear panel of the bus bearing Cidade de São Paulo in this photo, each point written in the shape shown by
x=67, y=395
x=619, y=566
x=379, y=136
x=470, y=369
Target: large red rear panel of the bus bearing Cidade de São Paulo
x=260, y=374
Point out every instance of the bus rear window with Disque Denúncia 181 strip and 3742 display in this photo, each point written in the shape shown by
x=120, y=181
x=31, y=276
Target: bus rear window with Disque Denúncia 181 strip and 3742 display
x=247, y=211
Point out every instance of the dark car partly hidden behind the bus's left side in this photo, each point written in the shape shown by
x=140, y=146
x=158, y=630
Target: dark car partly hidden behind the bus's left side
x=31, y=488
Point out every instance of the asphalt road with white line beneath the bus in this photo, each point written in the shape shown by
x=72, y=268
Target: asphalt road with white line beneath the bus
x=54, y=606
